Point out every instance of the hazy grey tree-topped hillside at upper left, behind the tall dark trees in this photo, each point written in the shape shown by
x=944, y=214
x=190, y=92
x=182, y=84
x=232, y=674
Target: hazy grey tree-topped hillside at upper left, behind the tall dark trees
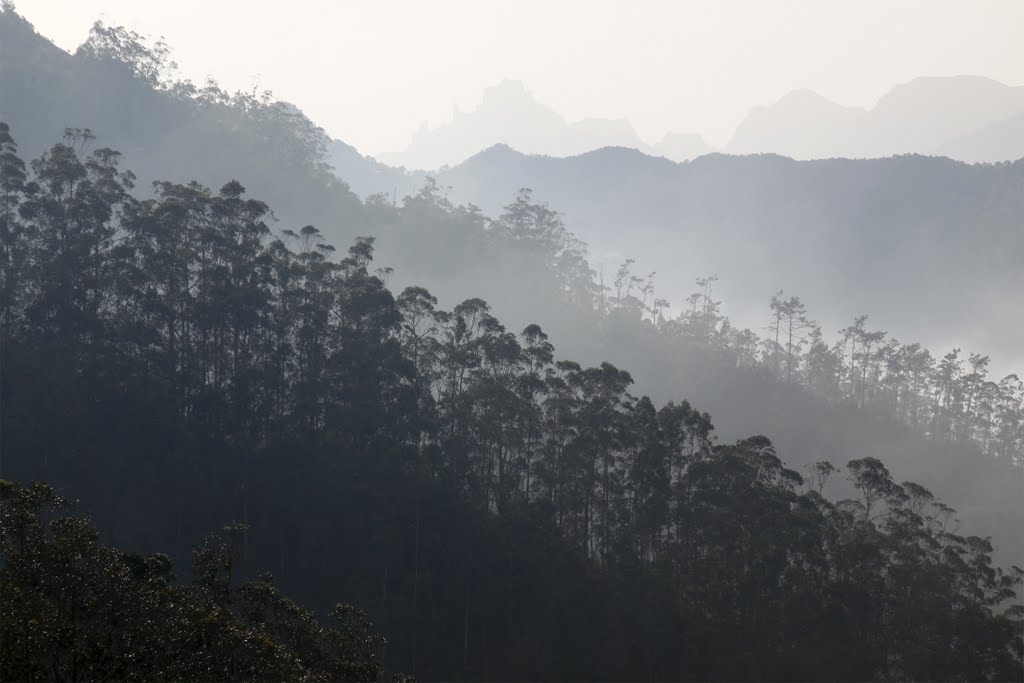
x=165, y=131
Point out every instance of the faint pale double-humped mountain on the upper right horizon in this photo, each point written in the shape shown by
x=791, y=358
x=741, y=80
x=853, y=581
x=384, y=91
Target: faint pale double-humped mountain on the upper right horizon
x=949, y=116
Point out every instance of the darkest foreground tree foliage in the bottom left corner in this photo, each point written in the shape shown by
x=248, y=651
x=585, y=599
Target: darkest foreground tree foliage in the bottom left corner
x=74, y=610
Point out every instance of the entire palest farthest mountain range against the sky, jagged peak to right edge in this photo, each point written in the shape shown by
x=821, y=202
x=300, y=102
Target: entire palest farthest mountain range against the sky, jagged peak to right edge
x=968, y=118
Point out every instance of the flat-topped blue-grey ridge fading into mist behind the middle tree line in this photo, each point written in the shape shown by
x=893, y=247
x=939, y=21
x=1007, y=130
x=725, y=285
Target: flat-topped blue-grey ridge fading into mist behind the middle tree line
x=917, y=242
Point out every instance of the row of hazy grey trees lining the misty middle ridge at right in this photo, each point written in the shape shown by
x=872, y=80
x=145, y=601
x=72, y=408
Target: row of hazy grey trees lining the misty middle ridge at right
x=950, y=400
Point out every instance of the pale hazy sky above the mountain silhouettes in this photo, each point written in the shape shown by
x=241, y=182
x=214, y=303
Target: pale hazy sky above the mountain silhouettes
x=371, y=73
